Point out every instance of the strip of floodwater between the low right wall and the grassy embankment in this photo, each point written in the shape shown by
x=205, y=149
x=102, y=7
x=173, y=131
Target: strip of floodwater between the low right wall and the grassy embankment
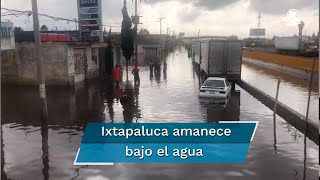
x=293, y=91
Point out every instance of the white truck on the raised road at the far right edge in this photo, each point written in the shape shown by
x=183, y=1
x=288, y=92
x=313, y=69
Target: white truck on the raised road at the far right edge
x=294, y=44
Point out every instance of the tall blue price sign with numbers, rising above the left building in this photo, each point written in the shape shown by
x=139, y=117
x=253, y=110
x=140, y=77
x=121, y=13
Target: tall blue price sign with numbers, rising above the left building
x=89, y=17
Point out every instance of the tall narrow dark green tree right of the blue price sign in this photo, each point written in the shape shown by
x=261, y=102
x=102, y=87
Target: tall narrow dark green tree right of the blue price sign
x=127, y=36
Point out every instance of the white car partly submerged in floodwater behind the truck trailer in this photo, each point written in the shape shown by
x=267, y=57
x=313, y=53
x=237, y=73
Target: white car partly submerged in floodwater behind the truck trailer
x=215, y=87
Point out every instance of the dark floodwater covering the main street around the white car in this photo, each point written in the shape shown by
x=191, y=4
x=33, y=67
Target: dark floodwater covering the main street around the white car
x=35, y=149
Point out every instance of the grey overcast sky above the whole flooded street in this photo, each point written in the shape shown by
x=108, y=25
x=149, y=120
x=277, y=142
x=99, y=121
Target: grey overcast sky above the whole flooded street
x=212, y=17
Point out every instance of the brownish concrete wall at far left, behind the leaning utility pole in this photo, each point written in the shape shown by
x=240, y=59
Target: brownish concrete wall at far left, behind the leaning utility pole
x=19, y=65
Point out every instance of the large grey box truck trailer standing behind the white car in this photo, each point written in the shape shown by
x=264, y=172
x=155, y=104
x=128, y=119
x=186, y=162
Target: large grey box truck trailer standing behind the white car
x=221, y=58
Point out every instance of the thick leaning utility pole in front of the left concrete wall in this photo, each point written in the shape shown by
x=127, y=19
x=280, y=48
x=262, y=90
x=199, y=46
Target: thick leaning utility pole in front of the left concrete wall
x=38, y=57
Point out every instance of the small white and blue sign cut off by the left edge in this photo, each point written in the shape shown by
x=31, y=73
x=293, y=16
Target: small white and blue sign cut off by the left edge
x=7, y=36
